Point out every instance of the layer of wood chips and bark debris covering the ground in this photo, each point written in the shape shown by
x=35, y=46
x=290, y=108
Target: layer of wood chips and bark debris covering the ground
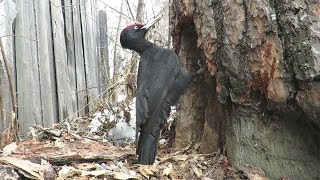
x=60, y=153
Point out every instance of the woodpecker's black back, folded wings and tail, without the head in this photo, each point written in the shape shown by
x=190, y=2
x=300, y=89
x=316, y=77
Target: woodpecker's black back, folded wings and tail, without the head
x=158, y=70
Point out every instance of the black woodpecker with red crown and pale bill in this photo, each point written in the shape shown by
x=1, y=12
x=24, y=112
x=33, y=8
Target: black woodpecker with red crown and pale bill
x=160, y=83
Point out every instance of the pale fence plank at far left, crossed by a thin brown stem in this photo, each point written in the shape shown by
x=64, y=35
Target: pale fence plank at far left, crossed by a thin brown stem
x=7, y=8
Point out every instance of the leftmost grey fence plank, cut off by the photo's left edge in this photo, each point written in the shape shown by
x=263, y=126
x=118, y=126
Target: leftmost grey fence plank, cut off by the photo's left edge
x=8, y=8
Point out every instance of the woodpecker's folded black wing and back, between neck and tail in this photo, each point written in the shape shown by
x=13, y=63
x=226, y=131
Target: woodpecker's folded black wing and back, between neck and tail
x=158, y=69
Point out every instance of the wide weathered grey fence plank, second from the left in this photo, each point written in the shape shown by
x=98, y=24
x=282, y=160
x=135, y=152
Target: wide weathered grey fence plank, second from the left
x=28, y=90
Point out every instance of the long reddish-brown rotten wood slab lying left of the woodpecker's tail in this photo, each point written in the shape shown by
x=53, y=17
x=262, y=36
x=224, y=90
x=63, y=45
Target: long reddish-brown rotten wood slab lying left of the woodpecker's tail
x=67, y=151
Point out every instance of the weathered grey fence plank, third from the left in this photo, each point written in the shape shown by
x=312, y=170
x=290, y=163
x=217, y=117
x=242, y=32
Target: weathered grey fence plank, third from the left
x=48, y=95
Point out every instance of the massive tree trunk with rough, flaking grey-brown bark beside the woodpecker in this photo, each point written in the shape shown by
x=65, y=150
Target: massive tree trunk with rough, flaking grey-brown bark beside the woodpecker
x=260, y=95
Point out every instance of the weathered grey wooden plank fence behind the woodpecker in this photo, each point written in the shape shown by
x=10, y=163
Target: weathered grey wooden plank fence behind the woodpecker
x=51, y=47
